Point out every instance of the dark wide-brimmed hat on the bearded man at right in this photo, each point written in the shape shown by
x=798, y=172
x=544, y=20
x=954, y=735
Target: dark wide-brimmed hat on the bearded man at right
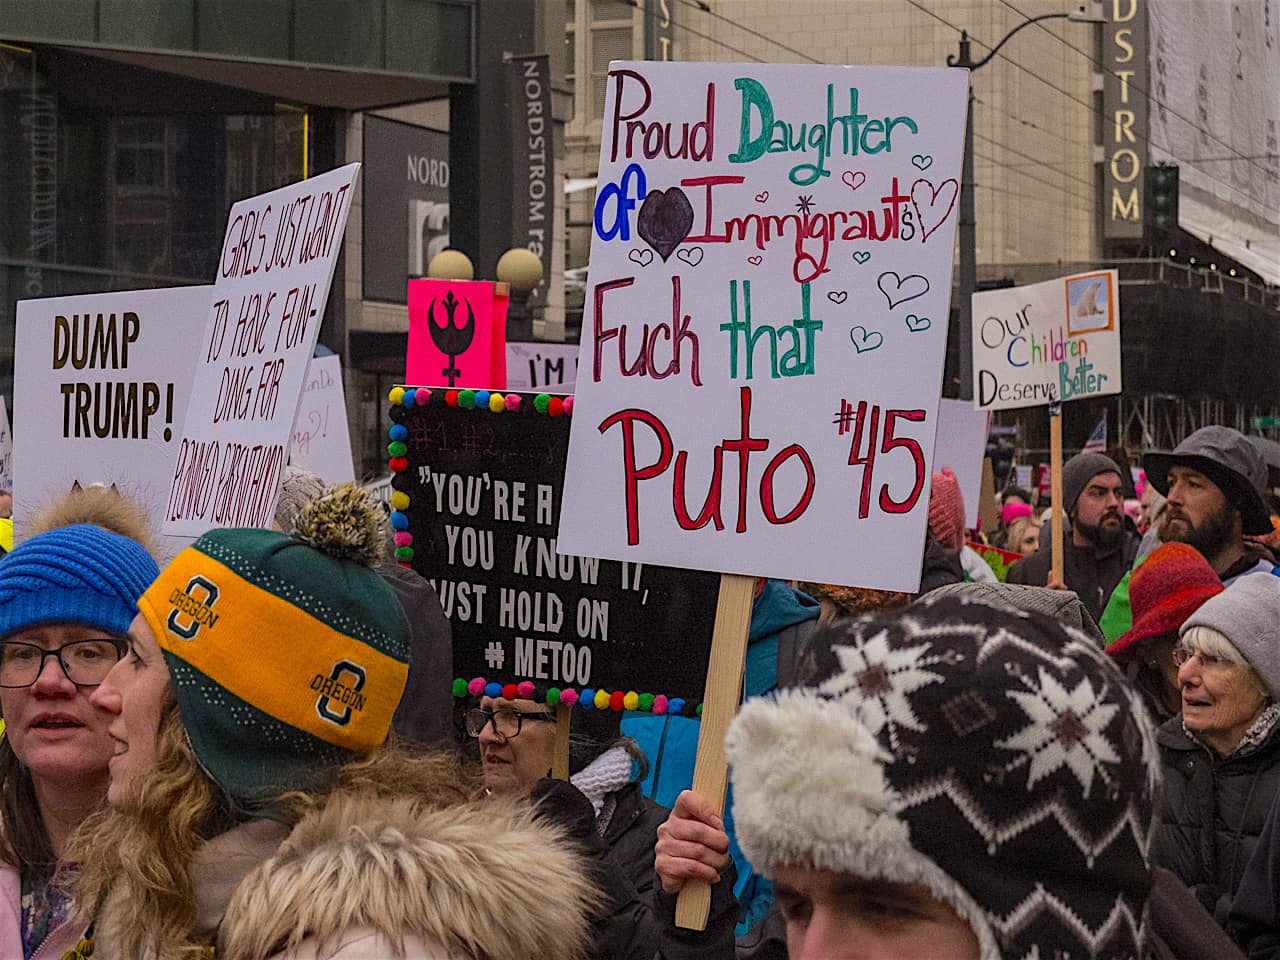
x=1228, y=459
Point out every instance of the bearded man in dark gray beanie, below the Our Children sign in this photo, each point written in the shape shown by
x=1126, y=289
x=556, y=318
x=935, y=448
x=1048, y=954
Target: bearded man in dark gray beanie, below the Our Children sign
x=1099, y=550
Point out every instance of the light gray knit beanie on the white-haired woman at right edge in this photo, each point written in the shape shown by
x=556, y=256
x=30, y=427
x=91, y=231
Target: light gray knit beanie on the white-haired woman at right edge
x=1249, y=615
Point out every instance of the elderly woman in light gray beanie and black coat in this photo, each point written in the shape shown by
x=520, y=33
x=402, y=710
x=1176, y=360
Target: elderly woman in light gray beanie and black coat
x=1222, y=753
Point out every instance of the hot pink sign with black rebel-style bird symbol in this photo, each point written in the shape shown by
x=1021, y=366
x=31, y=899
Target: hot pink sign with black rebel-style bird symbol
x=458, y=333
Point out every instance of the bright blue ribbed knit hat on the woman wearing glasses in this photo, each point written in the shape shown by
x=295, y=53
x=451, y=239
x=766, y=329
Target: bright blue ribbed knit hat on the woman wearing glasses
x=79, y=574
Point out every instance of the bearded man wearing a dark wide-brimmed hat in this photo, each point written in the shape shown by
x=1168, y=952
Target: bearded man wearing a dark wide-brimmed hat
x=1215, y=482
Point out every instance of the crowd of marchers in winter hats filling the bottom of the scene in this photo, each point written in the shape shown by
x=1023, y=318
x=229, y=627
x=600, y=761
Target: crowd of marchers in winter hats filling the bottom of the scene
x=252, y=751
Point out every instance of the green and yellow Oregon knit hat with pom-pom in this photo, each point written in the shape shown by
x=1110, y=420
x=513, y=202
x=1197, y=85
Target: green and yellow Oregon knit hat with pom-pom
x=287, y=653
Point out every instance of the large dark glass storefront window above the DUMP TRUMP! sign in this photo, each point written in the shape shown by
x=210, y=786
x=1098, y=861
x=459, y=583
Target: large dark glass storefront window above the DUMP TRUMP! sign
x=95, y=199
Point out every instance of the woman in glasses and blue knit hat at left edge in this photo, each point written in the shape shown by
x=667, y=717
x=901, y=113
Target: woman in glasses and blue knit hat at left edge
x=67, y=598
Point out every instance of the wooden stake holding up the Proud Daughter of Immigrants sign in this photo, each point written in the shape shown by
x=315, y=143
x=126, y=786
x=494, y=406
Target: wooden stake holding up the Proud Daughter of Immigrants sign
x=720, y=705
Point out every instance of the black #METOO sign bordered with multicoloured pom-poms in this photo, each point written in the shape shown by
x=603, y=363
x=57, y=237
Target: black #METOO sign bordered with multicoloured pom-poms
x=478, y=500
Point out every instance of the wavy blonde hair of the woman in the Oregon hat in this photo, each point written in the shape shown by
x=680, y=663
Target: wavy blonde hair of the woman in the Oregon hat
x=135, y=863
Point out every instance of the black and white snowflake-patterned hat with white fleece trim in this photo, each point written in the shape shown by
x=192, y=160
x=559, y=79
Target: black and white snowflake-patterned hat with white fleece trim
x=991, y=755
